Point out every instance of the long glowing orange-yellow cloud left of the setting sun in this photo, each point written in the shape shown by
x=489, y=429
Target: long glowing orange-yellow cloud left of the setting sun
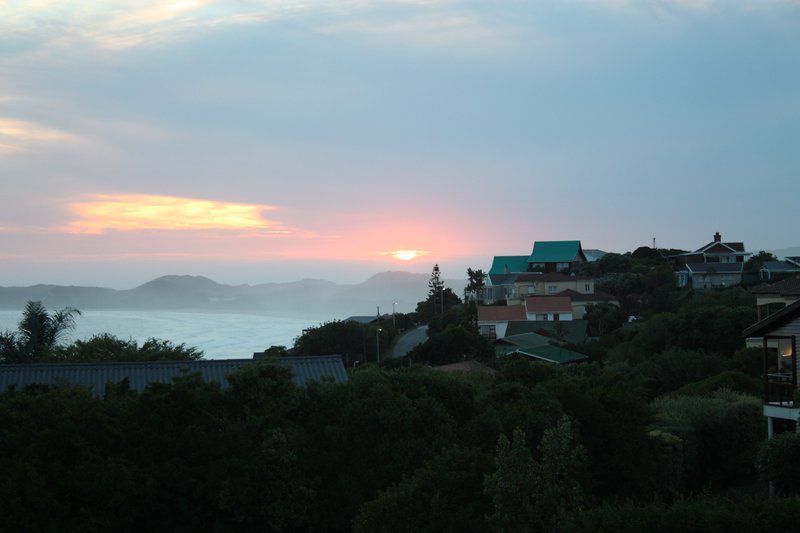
x=128, y=212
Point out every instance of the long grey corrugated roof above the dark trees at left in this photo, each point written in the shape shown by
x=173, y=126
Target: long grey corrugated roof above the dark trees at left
x=140, y=375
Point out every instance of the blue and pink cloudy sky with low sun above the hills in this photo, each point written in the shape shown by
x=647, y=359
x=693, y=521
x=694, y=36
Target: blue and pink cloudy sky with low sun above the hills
x=266, y=140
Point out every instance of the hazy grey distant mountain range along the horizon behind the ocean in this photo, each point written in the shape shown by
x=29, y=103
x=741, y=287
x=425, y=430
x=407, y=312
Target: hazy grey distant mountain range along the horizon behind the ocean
x=308, y=297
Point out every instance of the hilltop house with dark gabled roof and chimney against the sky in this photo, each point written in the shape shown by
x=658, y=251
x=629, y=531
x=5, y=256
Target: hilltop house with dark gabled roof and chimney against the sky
x=717, y=264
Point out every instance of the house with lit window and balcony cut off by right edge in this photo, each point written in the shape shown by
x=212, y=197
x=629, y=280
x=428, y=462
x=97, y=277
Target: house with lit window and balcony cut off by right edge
x=778, y=334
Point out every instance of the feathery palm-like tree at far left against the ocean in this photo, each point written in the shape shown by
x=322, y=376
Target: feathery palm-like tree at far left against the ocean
x=37, y=335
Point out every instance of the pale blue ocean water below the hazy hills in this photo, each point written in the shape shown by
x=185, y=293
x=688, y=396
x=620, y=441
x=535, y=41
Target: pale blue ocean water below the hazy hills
x=219, y=335
